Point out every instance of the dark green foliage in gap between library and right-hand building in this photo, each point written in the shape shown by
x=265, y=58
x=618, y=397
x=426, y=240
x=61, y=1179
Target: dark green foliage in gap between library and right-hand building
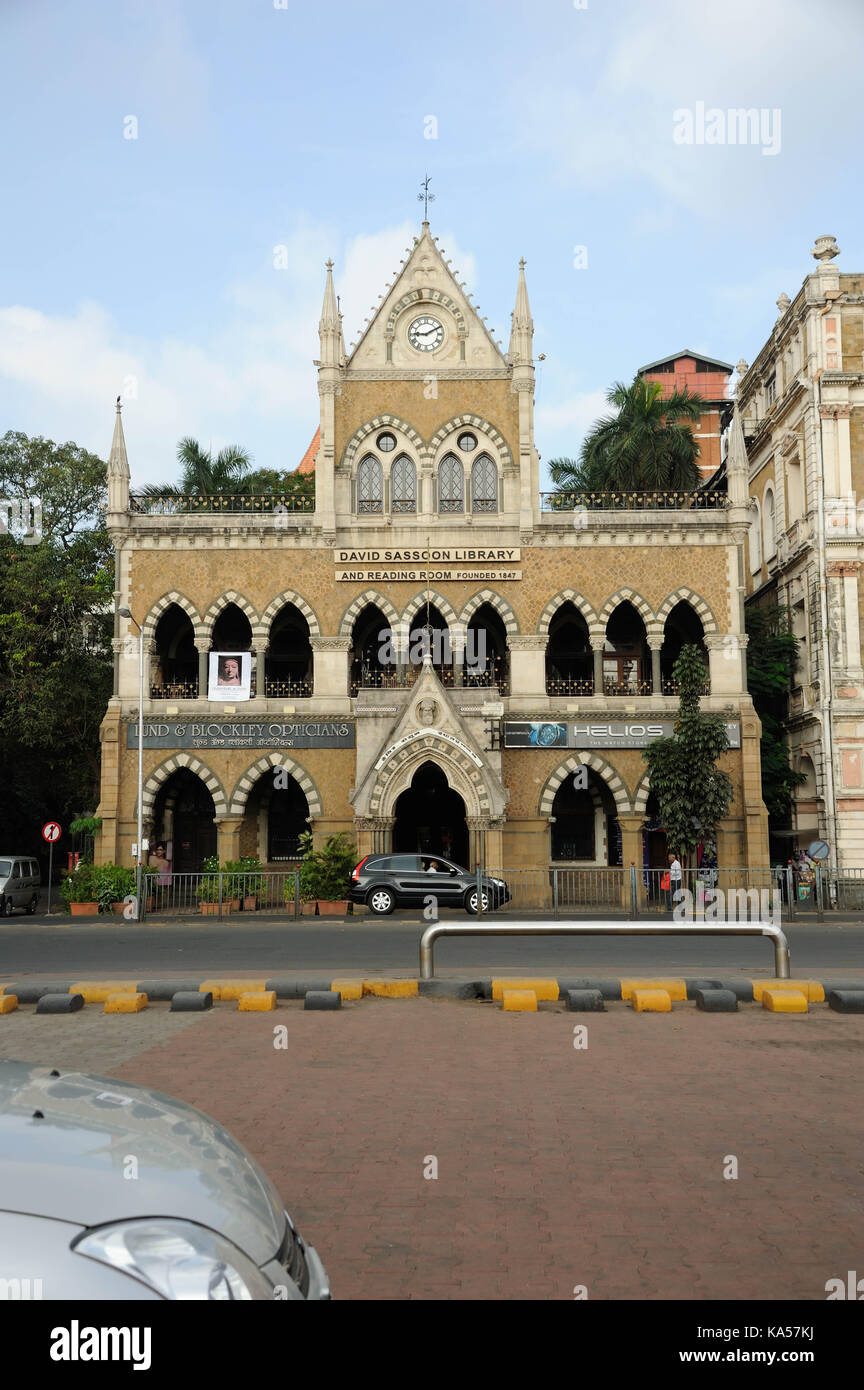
x=773, y=654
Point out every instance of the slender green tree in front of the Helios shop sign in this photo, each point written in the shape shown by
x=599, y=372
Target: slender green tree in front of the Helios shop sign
x=694, y=794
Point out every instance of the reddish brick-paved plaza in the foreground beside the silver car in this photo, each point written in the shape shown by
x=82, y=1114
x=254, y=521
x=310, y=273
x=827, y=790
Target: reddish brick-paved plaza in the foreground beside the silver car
x=556, y=1167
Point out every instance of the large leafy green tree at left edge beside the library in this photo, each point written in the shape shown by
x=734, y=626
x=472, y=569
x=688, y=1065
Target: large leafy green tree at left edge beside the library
x=56, y=662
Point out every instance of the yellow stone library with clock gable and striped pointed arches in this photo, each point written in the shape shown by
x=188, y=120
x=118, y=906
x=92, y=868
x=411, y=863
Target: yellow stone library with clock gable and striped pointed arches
x=435, y=648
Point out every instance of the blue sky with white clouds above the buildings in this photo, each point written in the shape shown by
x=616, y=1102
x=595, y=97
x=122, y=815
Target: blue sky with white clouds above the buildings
x=147, y=266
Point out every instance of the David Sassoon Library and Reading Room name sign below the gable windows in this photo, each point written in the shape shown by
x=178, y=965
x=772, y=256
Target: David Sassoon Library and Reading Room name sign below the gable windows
x=426, y=564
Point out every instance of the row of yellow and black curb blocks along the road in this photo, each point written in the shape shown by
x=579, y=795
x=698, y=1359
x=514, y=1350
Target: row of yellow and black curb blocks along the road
x=513, y=995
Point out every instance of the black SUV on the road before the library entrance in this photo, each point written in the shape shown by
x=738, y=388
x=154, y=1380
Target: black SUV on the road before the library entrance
x=387, y=882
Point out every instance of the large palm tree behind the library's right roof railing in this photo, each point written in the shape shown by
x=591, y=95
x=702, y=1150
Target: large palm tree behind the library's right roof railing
x=645, y=447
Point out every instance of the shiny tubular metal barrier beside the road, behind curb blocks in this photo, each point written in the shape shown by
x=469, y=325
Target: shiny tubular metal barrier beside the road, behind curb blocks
x=604, y=929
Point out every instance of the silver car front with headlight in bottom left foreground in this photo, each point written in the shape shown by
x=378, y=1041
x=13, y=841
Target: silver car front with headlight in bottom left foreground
x=110, y=1191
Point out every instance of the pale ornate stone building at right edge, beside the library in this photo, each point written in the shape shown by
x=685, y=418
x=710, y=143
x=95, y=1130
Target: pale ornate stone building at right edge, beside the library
x=801, y=419
